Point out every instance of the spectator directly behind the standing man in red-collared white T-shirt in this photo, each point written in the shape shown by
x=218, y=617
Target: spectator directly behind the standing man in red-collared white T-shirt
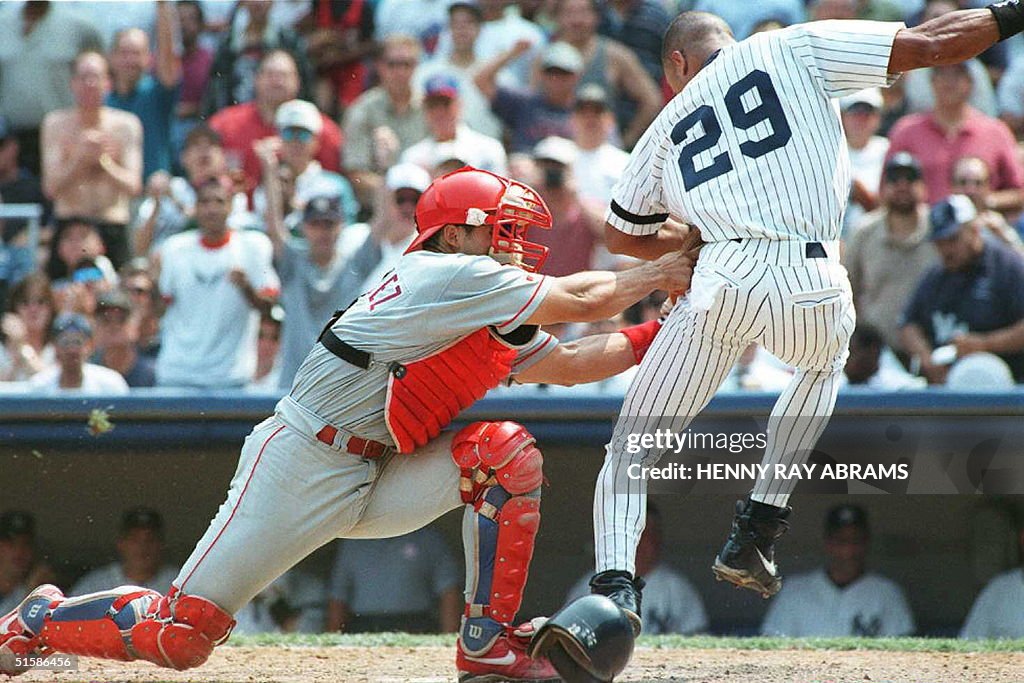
x=169, y=206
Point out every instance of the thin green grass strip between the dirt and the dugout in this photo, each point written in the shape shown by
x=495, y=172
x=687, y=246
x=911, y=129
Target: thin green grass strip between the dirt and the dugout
x=666, y=643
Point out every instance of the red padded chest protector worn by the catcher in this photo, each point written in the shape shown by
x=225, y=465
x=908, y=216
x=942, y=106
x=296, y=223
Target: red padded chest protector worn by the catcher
x=425, y=396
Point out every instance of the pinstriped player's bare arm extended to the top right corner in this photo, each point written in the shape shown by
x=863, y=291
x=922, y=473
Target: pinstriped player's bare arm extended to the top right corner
x=956, y=36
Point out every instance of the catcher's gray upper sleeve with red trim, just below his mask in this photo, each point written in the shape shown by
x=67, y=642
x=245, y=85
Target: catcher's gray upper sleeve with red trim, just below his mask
x=487, y=293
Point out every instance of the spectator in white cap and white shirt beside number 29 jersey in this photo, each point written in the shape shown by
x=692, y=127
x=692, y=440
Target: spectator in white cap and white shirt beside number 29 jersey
x=862, y=118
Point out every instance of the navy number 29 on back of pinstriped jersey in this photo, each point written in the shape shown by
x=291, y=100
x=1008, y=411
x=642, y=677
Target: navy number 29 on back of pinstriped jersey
x=770, y=110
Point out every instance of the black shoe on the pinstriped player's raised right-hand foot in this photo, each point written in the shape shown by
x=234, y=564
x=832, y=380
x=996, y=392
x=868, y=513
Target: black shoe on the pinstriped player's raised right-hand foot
x=748, y=561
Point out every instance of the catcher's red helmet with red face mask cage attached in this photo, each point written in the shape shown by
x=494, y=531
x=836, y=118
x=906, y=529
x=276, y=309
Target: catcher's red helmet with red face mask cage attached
x=473, y=197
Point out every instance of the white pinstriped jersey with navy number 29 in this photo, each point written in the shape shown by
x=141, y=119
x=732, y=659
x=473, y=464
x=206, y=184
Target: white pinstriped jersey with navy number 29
x=754, y=147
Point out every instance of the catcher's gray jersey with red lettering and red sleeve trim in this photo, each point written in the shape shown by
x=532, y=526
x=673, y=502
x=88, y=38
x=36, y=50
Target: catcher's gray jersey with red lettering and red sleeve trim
x=426, y=304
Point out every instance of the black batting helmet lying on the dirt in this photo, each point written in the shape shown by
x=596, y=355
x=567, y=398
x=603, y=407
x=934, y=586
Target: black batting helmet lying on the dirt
x=588, y=642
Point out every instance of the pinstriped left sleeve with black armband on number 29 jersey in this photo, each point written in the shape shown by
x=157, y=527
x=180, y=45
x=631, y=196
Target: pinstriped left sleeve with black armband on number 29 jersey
x=637, y=205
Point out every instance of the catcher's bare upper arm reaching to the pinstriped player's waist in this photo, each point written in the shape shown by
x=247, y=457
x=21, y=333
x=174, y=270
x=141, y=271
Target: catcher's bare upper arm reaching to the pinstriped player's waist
x=598, y=295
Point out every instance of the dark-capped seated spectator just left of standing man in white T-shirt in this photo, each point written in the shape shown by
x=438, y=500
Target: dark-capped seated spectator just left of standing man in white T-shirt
x=116, y=341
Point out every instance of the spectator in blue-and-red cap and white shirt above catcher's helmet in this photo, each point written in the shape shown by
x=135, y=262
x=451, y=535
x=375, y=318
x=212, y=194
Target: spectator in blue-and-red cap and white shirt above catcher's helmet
x=443, y=111
